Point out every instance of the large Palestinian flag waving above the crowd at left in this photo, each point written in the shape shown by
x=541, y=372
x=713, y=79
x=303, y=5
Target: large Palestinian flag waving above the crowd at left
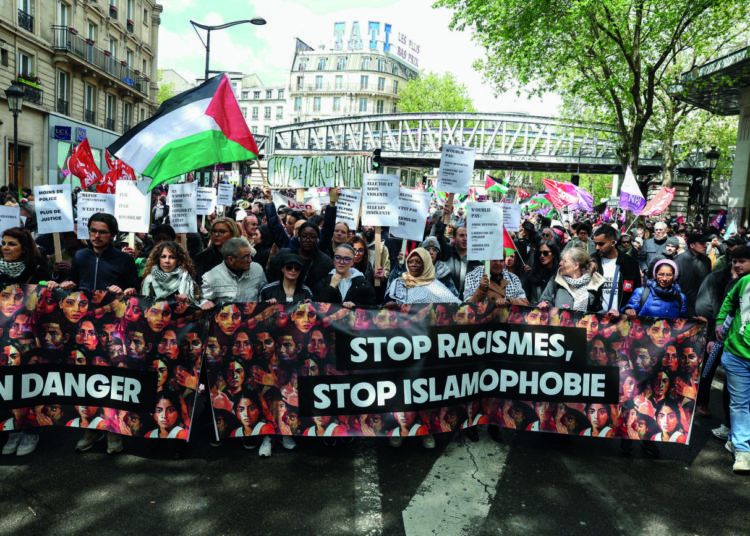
x=198, y=128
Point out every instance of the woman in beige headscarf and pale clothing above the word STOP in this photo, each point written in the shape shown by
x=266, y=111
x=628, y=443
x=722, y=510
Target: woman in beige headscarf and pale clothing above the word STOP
x=418, y=284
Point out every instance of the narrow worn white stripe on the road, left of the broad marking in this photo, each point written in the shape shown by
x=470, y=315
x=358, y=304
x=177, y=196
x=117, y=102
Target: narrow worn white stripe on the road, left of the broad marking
x=368, y=509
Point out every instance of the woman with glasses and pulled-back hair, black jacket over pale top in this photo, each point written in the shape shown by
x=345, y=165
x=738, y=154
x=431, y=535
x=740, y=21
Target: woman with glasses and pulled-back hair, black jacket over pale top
x=345, y=284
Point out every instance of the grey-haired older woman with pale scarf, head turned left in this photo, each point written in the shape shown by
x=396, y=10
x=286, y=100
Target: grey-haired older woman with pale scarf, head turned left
x=577, y=284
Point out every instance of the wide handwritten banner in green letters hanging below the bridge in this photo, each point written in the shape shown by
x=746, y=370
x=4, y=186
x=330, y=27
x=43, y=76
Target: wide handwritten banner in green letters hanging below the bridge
x=302, y=171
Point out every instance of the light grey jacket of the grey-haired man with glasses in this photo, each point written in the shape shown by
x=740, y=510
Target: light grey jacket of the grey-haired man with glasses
x=221, y=285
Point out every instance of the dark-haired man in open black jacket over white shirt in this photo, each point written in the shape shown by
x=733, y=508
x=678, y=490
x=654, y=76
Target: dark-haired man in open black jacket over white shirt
x=621, y=272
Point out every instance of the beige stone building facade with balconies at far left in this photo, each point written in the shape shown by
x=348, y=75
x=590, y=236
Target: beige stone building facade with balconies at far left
x=88, y=70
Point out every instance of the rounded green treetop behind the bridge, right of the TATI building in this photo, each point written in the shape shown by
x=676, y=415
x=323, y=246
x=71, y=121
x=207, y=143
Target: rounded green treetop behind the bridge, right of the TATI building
x=433, y=93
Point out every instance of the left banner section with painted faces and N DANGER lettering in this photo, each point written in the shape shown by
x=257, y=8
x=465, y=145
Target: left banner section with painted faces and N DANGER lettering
x=88, y=360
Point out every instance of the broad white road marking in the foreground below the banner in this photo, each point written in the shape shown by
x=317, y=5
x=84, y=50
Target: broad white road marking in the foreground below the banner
x=456, y=495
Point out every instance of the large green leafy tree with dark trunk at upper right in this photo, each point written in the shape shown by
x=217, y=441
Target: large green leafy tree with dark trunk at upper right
x=612, y=55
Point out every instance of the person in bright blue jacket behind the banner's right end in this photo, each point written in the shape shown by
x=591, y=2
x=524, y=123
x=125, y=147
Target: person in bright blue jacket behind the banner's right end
x=660, y=297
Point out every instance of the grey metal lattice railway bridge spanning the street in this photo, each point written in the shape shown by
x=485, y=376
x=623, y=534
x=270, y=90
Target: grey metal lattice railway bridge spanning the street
x=503, y=141
